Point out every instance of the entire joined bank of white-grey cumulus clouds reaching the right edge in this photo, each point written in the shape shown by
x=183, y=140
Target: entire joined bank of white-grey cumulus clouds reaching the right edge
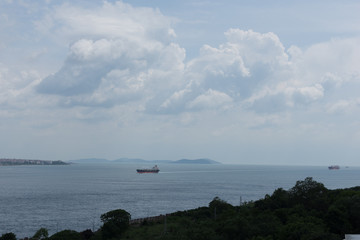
x=124, y=54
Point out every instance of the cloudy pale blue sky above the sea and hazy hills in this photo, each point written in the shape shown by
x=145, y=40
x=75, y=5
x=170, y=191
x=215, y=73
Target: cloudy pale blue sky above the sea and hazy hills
x=239, y=82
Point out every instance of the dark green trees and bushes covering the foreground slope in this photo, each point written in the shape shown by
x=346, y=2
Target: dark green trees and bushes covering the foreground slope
x=308, y=211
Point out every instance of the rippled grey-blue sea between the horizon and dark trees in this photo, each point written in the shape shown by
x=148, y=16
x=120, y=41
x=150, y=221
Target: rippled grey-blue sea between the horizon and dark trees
x=74, y=196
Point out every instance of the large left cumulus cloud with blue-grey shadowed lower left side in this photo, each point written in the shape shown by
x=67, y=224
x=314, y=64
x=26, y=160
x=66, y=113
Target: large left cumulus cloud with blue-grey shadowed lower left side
x=125, y=56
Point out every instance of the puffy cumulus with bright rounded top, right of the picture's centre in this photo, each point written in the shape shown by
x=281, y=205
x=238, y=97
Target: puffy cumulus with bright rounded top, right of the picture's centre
x=235, y=71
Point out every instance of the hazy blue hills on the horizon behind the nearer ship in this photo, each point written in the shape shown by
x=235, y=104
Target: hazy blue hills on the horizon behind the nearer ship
x=139, y=160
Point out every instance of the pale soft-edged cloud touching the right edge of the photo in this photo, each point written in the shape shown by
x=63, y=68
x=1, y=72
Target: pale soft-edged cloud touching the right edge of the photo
x=325, y=71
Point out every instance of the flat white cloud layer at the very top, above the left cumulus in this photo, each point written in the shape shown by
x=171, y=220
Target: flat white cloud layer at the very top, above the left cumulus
x=111, y=20
